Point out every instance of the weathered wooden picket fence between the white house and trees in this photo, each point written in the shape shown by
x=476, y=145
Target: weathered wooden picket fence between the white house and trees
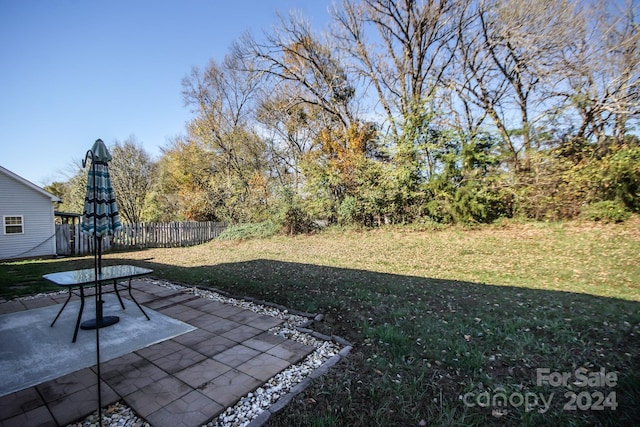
x=69, y=240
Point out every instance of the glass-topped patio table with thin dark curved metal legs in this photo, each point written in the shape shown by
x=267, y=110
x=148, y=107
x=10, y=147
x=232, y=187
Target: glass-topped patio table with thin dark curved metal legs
x=80, y=278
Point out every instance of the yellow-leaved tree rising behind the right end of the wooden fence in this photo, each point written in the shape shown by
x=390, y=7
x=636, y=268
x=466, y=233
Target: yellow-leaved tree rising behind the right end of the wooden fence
x=218, y=171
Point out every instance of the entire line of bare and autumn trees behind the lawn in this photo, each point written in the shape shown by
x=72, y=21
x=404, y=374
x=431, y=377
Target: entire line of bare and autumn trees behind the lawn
x=401, y=111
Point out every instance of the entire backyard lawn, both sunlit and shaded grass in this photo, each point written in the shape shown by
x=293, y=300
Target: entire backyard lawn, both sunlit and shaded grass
x=434, y=314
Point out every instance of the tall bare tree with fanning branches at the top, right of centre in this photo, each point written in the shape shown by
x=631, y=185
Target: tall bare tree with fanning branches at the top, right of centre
x=401, y=48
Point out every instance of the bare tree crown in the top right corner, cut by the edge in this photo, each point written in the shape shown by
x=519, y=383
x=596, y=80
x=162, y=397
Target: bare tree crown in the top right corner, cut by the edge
x=602, y=71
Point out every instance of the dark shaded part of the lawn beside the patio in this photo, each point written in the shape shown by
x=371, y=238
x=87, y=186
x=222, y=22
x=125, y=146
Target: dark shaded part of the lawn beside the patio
x=435, y=350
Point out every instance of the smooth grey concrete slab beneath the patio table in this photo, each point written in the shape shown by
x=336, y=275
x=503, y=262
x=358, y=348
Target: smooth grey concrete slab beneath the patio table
x=32, y=352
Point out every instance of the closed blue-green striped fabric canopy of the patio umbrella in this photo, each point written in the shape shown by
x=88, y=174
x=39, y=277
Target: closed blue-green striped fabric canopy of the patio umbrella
x=100, y=208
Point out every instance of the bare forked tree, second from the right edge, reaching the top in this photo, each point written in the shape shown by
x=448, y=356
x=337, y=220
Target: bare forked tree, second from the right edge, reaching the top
x=506, y=58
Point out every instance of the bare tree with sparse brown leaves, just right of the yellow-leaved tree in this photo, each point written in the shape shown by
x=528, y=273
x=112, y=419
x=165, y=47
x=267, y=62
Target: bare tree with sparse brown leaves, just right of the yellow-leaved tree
x=305, y=90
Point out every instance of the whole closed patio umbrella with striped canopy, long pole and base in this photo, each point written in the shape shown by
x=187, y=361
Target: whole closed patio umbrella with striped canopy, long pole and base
x=100, y=218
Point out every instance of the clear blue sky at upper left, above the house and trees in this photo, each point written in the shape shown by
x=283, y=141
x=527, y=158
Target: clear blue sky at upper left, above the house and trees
x=75, y=71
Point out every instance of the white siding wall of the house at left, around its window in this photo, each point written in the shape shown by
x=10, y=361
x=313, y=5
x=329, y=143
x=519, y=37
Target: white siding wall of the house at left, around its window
x=36, y=209
